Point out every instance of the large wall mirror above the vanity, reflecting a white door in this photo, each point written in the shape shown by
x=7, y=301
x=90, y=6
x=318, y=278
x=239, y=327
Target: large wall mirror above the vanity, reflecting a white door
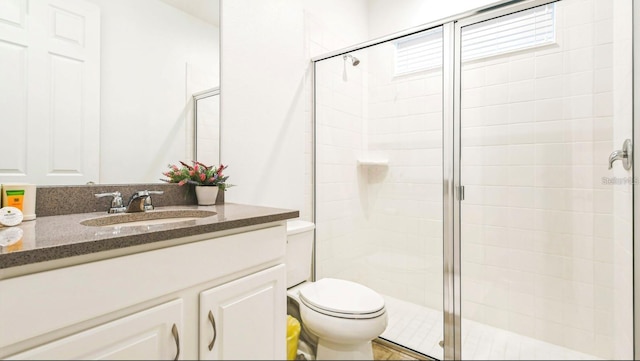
x=135, y=116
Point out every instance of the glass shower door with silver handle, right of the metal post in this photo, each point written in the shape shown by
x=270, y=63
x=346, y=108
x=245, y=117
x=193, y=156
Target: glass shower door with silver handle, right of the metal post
x=545, y=227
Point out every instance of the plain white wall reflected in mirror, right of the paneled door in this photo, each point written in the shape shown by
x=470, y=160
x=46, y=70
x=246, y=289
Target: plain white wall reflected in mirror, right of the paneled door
x=146, y=46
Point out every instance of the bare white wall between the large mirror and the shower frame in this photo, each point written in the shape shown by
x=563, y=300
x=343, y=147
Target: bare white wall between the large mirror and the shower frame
x=266, y=92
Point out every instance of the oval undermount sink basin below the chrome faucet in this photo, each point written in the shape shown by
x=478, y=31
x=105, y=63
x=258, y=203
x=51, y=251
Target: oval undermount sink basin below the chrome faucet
x=147, y=218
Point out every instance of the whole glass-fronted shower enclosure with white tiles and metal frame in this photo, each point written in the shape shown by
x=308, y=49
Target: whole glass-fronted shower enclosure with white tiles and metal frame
x=467, y=171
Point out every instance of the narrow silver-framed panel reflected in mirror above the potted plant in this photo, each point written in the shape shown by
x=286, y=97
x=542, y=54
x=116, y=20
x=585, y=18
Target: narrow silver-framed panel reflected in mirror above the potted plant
x=207, y=126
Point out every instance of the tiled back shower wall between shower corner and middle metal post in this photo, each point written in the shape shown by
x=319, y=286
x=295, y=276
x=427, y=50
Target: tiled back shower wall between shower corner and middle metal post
x=404, y=198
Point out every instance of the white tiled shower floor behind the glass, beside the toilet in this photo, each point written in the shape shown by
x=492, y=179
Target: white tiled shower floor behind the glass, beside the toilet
x=420, y=329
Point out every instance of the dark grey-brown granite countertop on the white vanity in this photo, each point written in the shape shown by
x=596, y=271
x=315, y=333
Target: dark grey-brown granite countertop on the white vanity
x=60, y=236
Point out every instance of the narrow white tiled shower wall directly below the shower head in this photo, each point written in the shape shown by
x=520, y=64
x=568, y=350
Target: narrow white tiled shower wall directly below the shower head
x=340, y=211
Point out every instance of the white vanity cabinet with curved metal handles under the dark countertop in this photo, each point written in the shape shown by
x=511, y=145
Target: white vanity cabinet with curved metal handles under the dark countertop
x=155, y=304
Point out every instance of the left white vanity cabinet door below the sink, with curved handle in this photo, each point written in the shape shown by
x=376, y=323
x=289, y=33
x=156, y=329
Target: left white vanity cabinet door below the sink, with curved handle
x=152, y=334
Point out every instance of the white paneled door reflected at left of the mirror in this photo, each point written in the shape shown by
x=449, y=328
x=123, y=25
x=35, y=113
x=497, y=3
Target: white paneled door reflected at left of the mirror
x=50, y=92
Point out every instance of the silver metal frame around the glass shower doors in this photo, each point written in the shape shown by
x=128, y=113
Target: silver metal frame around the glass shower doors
x=451, y=99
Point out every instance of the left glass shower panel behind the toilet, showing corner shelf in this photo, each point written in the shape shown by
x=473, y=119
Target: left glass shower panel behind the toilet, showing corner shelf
x=379, y=186
